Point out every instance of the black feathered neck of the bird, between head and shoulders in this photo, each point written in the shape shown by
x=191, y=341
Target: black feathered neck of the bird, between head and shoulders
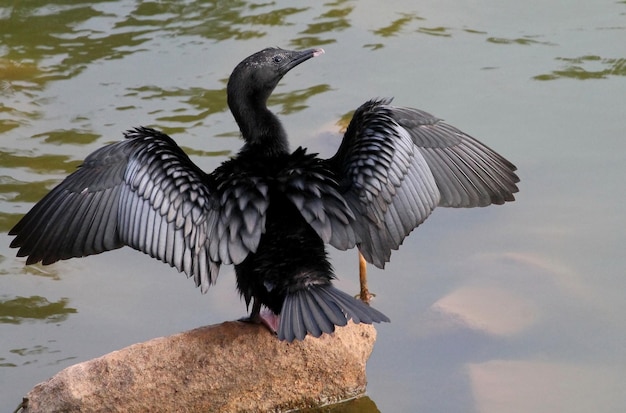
x=261, y=130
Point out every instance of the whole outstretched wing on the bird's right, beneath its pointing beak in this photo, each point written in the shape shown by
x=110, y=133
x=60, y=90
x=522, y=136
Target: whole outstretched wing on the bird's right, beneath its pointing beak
x=395, y=165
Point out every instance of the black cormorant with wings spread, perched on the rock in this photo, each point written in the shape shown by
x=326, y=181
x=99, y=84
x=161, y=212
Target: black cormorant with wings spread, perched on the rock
x=269, y=211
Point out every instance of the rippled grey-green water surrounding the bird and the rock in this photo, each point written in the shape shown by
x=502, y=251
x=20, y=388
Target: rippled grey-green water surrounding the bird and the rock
x=504, y=309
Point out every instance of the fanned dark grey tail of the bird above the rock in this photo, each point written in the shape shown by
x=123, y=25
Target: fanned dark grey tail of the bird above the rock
x=318, y=309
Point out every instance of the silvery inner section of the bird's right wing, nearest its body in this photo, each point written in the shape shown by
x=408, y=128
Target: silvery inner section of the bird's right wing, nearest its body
x=385, y=180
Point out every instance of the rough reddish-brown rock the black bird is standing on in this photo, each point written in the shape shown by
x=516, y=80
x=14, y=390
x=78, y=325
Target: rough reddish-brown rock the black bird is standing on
x=229, y=367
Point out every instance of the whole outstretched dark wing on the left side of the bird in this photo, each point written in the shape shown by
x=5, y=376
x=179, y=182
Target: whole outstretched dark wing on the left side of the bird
x=146, y=193
